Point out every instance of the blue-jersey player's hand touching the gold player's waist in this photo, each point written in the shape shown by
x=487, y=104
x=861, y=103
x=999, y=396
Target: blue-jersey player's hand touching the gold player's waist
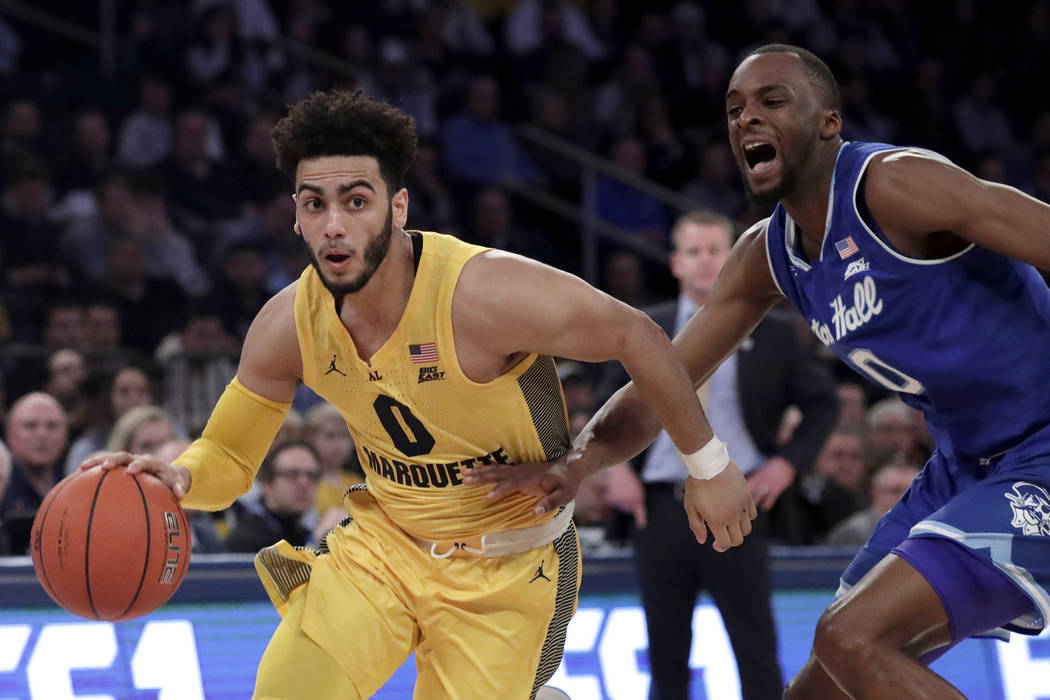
x=554, y=483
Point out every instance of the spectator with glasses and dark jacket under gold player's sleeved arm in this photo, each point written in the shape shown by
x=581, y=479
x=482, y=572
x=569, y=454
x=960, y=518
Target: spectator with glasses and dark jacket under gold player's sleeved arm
x=288, y=480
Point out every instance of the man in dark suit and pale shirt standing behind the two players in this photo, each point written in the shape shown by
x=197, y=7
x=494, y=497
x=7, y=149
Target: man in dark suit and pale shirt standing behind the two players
x=745, y=400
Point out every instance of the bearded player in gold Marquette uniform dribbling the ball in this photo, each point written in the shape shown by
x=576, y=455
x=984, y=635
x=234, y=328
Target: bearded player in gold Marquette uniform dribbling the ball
x=438, y=354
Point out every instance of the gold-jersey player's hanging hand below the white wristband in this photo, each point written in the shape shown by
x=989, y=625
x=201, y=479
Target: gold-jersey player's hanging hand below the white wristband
x=724, y=504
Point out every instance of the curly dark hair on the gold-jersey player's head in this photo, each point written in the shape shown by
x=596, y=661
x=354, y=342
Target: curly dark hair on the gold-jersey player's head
x=347, y=123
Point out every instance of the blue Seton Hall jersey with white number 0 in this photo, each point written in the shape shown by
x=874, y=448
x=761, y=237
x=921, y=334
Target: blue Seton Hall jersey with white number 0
x=965, y=340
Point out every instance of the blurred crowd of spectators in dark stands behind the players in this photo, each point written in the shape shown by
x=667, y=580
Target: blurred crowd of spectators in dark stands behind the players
x=143, y=223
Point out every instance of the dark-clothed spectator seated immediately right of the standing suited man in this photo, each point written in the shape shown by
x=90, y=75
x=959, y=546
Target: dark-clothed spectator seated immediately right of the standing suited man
x=833, y=492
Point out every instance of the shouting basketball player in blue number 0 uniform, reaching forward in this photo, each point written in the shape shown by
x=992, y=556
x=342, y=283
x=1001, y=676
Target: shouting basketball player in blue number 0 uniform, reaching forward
x=921, y=278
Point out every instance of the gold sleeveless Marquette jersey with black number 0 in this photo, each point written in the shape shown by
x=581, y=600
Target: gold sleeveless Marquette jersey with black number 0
x=418, y=421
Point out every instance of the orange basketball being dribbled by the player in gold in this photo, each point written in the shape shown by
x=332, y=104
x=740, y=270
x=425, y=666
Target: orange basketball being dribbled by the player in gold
x=110, y=545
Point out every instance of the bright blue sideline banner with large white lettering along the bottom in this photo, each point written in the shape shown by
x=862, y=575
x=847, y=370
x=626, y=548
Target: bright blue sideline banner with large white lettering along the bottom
x=190, y=651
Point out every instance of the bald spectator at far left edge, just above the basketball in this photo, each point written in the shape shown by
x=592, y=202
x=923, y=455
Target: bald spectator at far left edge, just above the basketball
x=37, y=433
